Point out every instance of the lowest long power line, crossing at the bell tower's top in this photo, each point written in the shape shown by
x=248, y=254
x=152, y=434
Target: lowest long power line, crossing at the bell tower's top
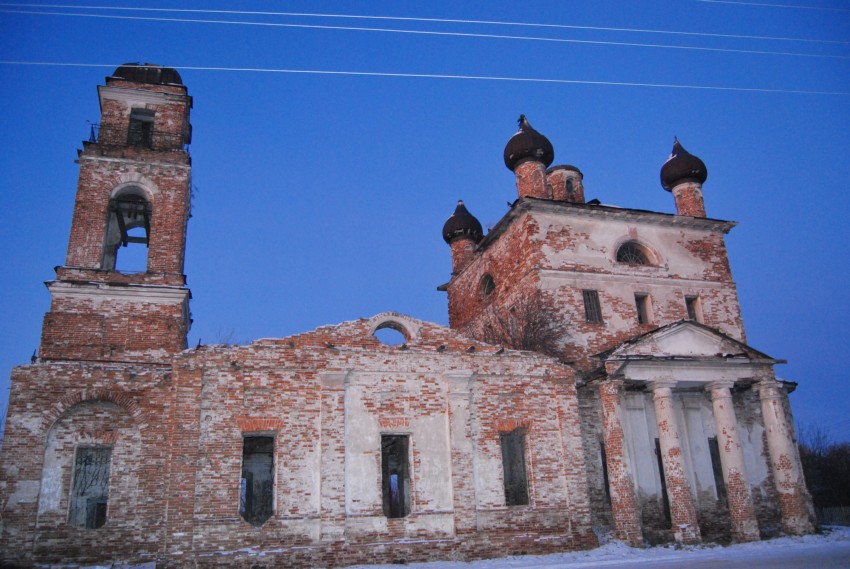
x=445, y=76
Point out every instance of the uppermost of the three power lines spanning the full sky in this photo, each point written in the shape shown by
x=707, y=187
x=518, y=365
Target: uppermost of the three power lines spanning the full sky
x=429, y=20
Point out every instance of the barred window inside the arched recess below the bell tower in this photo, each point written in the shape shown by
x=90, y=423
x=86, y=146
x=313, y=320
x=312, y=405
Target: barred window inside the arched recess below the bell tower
x=90, y=489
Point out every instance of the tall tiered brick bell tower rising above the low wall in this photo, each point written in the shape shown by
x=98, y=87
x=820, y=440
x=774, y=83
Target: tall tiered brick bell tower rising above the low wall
x=121, y=295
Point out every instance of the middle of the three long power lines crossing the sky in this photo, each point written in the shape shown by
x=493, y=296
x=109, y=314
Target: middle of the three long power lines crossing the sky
x=426, y=32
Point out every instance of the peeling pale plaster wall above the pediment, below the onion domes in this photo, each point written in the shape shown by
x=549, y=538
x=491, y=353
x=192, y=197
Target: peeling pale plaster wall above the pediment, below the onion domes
x=580, y=254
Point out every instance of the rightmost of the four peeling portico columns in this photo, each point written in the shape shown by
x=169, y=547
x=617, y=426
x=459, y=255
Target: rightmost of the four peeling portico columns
x=784, y=460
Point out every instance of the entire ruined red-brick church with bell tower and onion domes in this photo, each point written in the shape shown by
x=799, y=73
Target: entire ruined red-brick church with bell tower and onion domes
x=595, y=380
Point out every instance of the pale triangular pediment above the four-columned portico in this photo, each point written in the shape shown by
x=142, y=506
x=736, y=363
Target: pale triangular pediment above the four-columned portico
x=683, y=340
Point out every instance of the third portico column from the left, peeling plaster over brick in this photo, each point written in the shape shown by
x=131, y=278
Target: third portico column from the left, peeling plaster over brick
x=741, y=510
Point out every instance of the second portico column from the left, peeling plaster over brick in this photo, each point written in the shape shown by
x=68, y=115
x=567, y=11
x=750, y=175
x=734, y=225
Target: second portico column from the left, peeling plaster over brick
x=682, y=509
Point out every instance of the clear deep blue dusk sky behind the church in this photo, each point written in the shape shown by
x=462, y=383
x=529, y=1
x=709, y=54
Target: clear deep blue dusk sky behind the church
x=320, y=197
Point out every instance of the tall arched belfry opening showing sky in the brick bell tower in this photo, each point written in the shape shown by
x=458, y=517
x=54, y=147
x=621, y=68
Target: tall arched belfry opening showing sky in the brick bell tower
x=129, y=226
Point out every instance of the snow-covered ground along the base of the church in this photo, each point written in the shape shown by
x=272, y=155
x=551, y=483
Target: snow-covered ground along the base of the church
x=831, y=549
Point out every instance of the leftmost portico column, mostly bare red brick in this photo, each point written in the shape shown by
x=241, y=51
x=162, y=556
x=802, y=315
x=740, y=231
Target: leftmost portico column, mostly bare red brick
x=627, y=523
